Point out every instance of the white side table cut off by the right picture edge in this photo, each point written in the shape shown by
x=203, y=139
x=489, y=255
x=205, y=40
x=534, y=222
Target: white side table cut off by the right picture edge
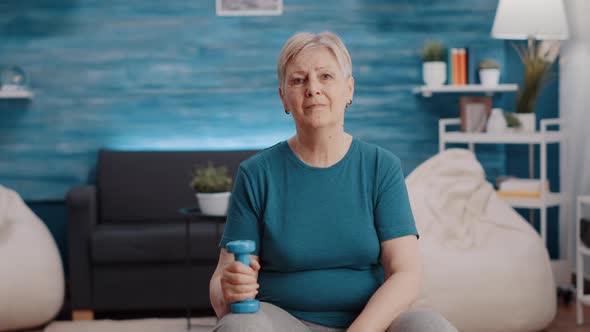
x=581, y=251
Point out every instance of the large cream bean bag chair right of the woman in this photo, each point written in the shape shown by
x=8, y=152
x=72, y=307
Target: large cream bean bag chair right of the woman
x=485, y=268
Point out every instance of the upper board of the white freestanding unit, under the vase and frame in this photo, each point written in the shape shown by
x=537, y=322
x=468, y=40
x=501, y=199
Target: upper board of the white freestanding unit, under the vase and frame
x=503, y=138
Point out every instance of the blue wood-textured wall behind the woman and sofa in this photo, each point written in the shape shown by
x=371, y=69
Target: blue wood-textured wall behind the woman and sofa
x=171, y=75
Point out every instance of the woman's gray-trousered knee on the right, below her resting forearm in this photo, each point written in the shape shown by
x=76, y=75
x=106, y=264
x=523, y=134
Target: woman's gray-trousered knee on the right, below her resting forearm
x=421, y=320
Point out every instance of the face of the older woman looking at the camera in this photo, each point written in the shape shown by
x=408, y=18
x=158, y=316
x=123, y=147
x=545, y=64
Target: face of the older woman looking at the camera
x=316, y=91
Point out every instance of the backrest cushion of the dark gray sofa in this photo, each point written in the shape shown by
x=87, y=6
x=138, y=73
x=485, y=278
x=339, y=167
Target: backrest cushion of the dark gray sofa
x=152, y=185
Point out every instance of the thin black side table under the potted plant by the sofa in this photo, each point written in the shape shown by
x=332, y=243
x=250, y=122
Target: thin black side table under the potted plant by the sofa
x=191, y=213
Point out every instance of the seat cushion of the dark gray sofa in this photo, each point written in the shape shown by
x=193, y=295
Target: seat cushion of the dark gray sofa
x=154, y=243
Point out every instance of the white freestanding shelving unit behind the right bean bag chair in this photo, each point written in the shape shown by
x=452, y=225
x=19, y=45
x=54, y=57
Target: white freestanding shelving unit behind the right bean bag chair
x=542, y=138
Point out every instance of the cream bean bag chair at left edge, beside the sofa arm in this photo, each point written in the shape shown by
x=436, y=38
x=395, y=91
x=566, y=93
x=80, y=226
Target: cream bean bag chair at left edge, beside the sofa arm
x=31, y=273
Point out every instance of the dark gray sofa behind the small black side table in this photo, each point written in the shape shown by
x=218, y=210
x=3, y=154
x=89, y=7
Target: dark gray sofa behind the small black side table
x=127, y=238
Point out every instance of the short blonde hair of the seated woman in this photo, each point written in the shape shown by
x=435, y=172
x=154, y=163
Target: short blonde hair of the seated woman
x=306, y=40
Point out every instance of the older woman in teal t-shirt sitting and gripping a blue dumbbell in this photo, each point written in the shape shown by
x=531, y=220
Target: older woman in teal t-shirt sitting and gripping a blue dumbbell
x=336, y=243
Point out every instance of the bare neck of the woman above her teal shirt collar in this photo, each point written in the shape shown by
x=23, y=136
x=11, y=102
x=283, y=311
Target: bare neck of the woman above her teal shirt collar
x=320, y=149
